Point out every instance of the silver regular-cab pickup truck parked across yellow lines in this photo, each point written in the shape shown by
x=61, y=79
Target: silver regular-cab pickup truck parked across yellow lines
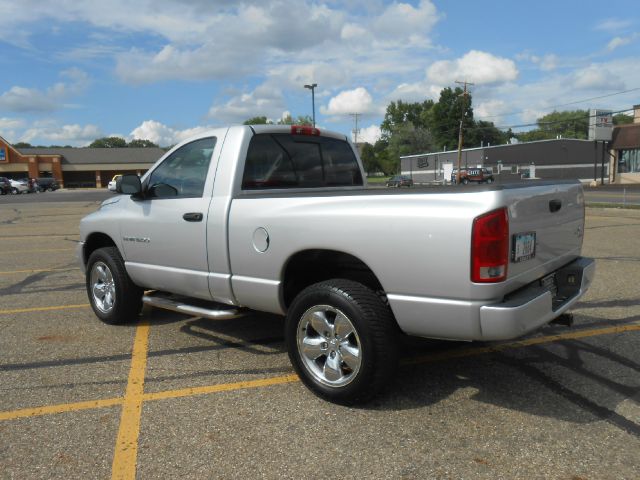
x=280, y=219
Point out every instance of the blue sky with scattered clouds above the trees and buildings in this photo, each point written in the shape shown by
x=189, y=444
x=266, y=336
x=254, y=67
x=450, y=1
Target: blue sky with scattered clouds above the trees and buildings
x=166, y=69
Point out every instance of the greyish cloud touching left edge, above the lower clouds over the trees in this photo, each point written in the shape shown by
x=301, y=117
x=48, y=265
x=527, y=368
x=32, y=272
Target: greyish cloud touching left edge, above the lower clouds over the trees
x=23, y=99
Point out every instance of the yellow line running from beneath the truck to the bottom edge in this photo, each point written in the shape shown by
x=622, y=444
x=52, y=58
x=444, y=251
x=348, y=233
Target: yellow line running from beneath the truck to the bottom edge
x=124, y=460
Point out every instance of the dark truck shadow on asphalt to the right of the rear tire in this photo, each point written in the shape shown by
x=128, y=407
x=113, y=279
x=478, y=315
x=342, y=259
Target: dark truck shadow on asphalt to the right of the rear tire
x=579, y=381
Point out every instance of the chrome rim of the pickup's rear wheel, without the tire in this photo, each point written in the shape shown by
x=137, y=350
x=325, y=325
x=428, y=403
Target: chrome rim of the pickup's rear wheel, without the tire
x=329, y=346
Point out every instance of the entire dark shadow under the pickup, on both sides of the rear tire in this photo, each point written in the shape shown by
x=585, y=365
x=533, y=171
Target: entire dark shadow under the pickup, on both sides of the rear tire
x=573, y=380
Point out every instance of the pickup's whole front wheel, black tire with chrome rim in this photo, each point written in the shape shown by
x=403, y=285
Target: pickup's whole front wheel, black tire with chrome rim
x=115, y=299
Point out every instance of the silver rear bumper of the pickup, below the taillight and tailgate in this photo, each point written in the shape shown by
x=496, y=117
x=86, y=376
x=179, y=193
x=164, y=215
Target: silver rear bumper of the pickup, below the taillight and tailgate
x=527, y=310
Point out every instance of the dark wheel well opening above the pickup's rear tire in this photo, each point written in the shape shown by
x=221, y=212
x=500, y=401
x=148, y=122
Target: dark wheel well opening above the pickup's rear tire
x=307, y=267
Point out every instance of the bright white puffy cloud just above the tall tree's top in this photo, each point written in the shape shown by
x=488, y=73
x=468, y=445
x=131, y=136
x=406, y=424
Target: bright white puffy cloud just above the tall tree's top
x=475, y=66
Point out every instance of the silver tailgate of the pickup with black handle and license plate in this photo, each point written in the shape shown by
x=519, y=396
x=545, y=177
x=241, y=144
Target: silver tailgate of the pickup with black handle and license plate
x=546, y=228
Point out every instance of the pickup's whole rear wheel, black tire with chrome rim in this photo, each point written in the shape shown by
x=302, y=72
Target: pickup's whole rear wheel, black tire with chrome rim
x=342, y=341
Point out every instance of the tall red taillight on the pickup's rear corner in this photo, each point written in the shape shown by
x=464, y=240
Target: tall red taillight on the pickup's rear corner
x=490, y=247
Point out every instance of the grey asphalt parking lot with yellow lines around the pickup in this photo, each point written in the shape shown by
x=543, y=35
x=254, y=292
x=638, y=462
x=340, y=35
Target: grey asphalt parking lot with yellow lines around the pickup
x=175, y=396
